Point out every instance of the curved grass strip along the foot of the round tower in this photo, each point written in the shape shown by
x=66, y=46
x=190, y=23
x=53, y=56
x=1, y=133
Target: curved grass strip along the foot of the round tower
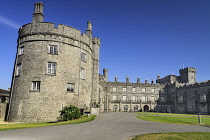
x=11, y=126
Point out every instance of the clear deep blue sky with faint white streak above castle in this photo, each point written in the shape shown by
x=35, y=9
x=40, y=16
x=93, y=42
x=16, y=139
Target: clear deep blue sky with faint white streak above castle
x=139, y=38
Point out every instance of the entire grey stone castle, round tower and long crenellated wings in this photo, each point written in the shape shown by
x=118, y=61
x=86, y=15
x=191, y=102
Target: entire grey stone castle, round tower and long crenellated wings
x=59, y=66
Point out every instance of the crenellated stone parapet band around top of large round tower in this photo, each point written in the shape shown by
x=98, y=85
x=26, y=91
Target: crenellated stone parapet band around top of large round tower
x=48, y=31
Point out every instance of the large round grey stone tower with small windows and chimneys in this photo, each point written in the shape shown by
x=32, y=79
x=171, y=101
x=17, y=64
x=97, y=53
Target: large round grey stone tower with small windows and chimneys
x=54, y=67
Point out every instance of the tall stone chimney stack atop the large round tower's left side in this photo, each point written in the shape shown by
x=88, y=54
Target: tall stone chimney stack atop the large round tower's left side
x=38, y=15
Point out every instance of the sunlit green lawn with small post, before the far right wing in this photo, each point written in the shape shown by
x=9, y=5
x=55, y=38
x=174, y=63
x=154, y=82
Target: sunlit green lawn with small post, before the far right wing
x=175, y=118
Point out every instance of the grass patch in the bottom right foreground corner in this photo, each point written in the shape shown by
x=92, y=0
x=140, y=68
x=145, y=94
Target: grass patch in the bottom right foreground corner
x=175, y=136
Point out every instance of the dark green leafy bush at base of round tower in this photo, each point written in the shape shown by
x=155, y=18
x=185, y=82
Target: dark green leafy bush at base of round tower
x=69, y=113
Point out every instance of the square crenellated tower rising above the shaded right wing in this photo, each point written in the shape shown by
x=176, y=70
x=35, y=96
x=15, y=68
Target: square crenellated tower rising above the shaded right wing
x=188, y=75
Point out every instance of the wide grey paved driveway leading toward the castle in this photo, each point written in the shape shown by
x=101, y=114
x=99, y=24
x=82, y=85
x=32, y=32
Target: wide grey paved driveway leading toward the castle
x=107, y=126
